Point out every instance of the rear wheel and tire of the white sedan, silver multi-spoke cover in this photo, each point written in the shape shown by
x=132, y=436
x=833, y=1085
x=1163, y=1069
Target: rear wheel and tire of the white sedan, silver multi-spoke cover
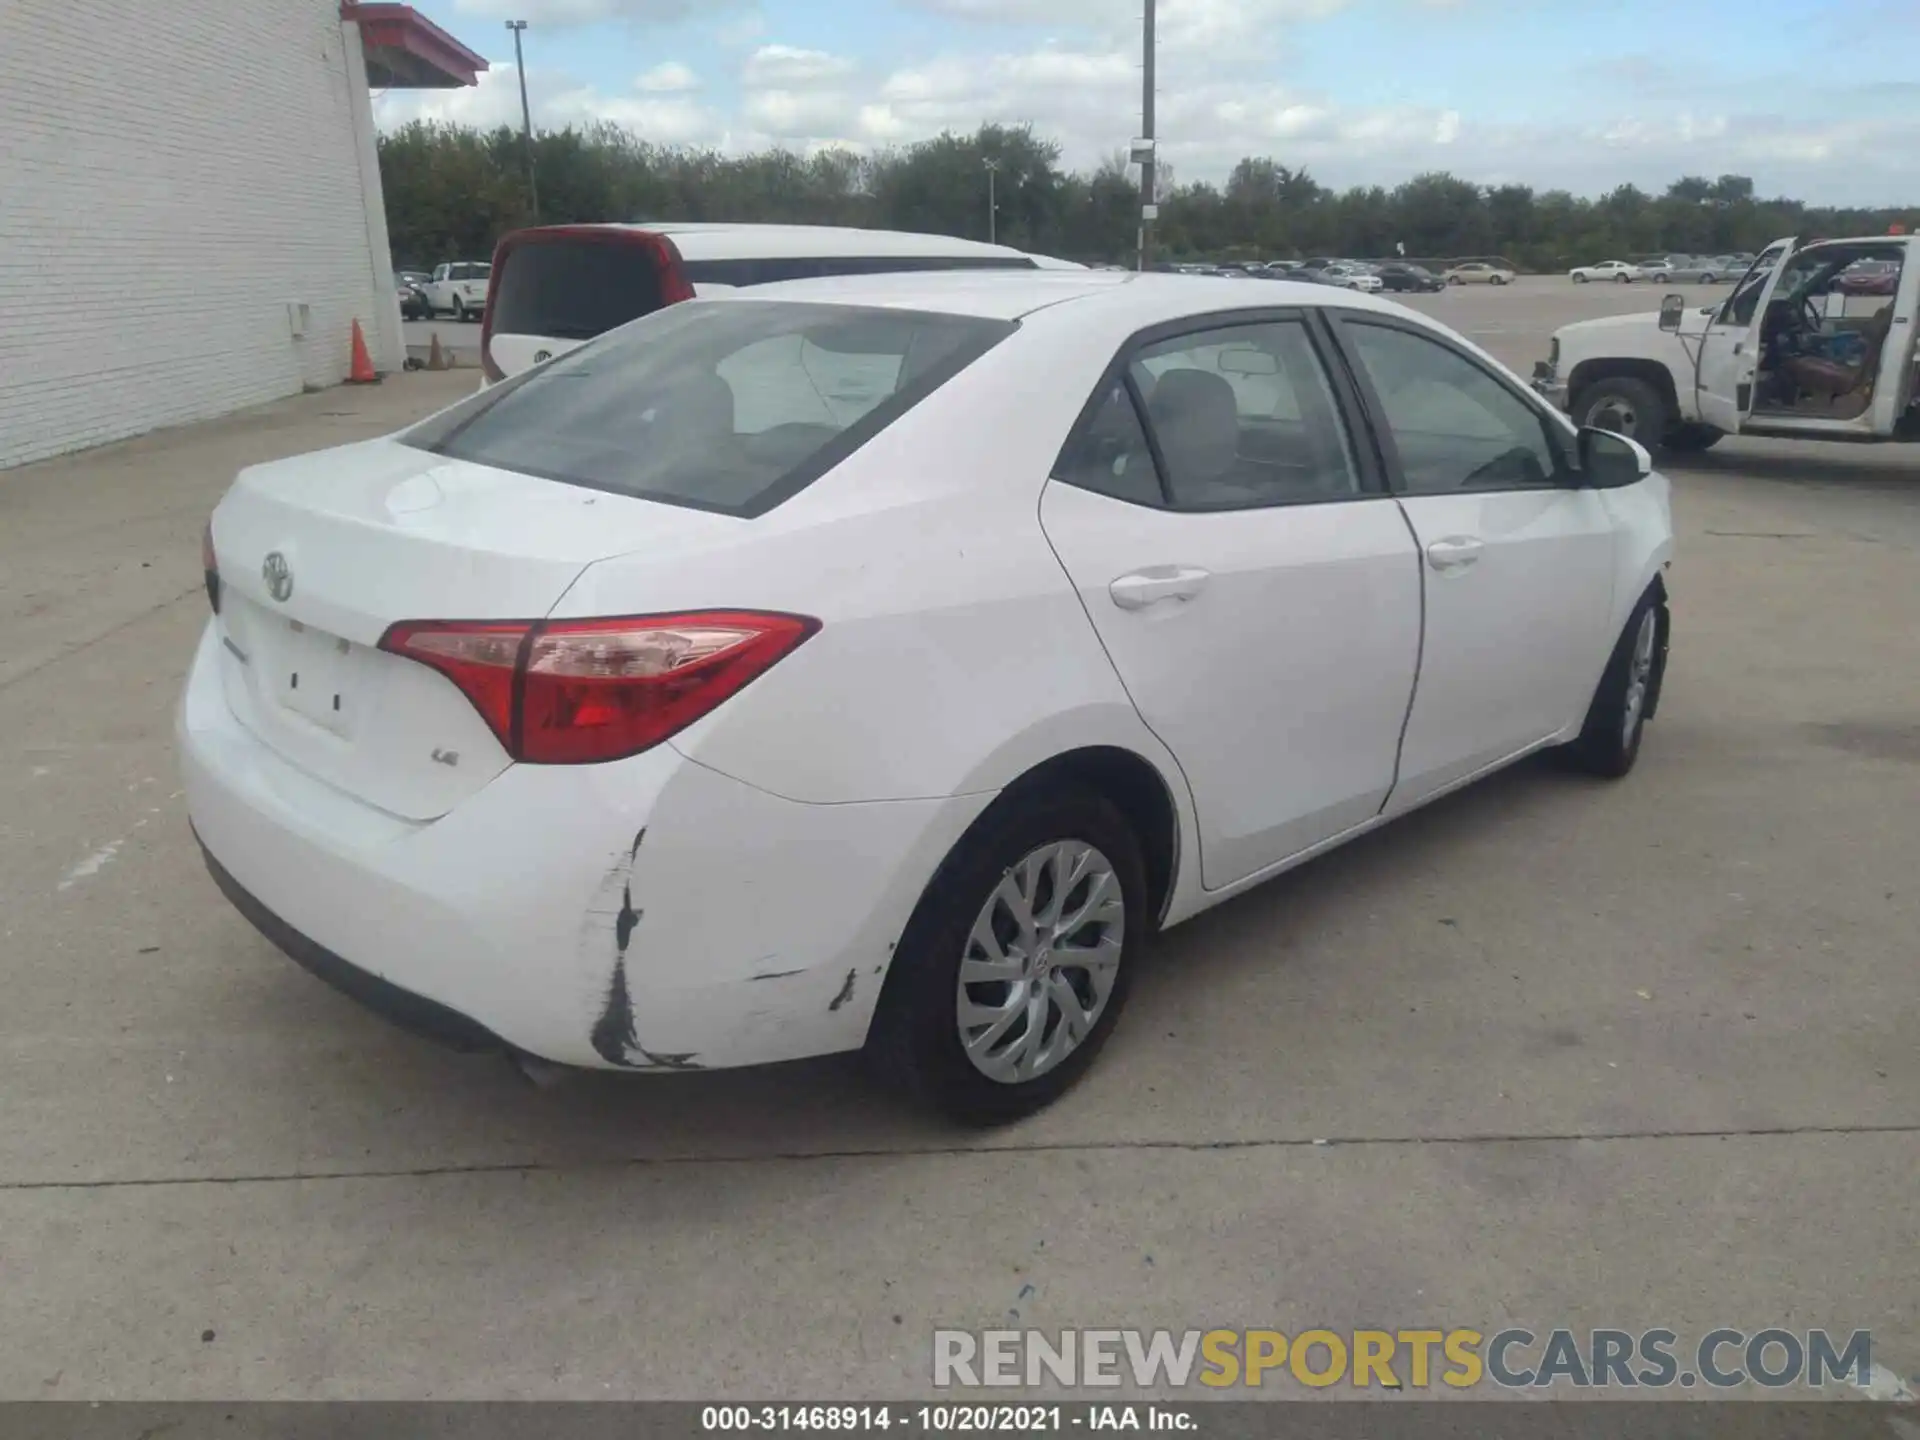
x=1019, y=961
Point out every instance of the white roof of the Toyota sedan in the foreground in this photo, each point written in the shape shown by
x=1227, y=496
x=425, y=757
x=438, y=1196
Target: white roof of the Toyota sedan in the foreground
x=1141, y=299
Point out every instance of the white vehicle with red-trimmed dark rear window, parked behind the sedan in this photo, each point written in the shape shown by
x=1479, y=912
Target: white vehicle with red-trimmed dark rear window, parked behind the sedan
x=562, y=285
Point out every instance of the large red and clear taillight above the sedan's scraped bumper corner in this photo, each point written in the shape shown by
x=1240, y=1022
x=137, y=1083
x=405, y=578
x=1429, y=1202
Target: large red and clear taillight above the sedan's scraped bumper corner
x=579, y=692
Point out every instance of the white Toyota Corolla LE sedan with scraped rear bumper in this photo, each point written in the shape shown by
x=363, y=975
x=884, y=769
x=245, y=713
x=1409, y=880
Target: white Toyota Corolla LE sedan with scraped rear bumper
x=882, y=661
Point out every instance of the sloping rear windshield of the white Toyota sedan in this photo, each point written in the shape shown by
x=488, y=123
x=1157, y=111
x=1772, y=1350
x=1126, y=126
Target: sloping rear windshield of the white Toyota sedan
x=723, y=406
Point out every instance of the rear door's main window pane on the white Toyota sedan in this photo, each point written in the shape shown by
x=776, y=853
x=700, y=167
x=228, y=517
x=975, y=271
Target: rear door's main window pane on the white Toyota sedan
x=1245, y=418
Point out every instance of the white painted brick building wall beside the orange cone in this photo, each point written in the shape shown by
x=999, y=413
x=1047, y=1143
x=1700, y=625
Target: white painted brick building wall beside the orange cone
x=174, y=180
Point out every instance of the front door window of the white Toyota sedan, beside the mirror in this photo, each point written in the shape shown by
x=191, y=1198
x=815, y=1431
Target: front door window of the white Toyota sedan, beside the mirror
x=1454, y=425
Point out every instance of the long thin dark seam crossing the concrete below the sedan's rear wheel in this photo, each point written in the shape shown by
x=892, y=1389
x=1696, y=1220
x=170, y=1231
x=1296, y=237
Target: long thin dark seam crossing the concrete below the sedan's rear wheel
x=953, y=1151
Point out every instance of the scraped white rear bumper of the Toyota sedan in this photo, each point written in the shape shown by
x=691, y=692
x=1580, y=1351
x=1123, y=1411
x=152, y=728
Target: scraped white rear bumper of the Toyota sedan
x=644, y=915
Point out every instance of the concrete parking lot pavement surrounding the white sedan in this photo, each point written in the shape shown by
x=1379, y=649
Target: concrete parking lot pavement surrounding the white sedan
x=1550, y=1053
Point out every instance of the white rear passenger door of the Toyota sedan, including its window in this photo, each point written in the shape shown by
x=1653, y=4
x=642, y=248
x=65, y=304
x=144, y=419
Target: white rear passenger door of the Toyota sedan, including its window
x=1251, y=579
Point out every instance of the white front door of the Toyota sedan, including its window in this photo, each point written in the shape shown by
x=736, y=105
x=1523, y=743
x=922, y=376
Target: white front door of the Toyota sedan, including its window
x=1518, y=558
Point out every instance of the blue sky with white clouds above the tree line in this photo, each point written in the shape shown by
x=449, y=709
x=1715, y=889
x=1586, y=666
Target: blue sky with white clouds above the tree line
x=1817, y=101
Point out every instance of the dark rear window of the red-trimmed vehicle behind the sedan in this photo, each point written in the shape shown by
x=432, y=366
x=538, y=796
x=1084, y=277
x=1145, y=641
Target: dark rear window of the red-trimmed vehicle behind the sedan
x=575, y=289
